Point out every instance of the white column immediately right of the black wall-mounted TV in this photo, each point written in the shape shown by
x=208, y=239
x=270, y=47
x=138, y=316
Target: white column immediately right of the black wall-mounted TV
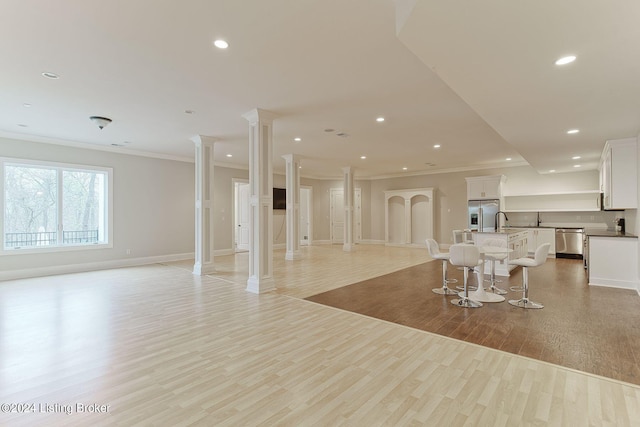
x=293, y=206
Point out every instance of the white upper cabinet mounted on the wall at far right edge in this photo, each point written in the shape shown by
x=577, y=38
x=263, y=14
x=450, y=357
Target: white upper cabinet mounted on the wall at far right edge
x=618, y=174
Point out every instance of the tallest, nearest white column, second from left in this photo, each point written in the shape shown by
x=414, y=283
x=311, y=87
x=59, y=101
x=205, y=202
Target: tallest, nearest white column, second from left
x=261, y=201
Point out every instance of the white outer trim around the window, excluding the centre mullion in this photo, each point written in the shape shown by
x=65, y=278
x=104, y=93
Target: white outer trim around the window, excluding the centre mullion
x=65, y=166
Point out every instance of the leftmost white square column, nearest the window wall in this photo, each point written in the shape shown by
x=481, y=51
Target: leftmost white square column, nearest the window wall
x=204, y=205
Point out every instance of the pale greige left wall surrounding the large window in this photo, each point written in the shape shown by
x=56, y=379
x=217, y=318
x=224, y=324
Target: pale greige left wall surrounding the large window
x=153, y=210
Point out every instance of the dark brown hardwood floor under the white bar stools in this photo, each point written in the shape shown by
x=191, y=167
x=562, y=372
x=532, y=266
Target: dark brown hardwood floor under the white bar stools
x=591, y=329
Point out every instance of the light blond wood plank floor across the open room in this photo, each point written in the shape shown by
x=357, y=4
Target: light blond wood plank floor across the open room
x=160, y=346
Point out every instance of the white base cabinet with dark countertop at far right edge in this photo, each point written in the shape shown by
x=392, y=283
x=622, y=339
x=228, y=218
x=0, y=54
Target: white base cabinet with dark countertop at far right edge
x=611, y=258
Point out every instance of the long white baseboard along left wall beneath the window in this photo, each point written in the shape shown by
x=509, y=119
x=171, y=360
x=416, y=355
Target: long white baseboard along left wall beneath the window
x=90, y=266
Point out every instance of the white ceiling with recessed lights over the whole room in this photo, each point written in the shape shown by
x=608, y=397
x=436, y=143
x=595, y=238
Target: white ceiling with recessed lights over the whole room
x=476, y=77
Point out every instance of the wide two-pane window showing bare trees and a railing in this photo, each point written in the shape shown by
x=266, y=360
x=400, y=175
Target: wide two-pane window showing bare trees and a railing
x=50, y=206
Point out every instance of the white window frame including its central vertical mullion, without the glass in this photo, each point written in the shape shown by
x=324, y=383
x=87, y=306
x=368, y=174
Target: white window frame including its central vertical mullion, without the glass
x=60, y=168
